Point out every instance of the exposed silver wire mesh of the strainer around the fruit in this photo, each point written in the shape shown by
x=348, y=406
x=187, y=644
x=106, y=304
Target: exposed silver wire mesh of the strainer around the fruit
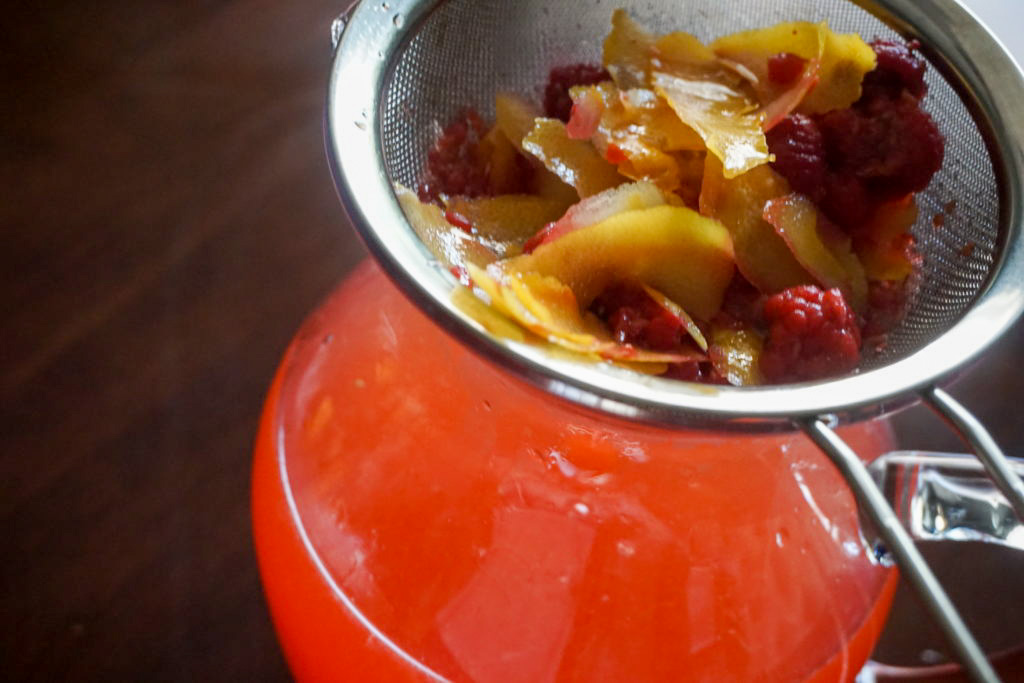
x=467, y=51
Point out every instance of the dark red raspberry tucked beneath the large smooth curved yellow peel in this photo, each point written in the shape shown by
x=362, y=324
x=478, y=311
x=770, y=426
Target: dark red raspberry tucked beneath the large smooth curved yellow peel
x=636, y=319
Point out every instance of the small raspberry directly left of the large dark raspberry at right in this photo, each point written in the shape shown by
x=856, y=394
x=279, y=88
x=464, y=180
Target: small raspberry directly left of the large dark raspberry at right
x=800, y=155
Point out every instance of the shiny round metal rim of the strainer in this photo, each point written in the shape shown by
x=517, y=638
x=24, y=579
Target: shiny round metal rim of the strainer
x=972, y=60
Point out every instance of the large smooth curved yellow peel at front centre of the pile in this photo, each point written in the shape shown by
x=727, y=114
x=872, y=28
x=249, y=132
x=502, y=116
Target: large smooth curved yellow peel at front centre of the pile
x=673, y=249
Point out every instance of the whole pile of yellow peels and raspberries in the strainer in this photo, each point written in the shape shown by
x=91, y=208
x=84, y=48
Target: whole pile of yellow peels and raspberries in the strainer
x=738, y=212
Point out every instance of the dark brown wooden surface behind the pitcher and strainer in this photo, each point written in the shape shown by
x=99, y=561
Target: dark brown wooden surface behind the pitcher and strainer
x=168, y=220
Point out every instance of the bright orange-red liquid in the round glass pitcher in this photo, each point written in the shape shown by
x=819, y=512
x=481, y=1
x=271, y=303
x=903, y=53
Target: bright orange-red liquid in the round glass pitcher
x=417, y=510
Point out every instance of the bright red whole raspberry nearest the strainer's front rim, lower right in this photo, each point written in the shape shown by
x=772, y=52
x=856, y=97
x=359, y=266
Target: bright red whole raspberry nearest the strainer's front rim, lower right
x=813, y=334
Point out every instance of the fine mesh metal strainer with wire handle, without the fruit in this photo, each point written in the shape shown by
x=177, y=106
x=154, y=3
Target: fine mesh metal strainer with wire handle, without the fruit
x=404, y=66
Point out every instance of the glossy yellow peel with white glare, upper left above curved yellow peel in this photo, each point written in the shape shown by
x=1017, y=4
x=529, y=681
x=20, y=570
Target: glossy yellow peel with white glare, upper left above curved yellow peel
x=576, y=162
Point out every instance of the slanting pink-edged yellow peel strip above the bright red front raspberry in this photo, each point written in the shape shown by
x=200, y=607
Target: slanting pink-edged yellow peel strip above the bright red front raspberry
x=820, y=247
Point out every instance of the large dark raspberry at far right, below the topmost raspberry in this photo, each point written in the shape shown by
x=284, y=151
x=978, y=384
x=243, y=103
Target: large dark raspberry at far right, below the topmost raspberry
x=891, y=146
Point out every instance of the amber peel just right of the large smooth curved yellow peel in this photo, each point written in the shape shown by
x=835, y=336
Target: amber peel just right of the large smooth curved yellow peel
x=762, y=257
